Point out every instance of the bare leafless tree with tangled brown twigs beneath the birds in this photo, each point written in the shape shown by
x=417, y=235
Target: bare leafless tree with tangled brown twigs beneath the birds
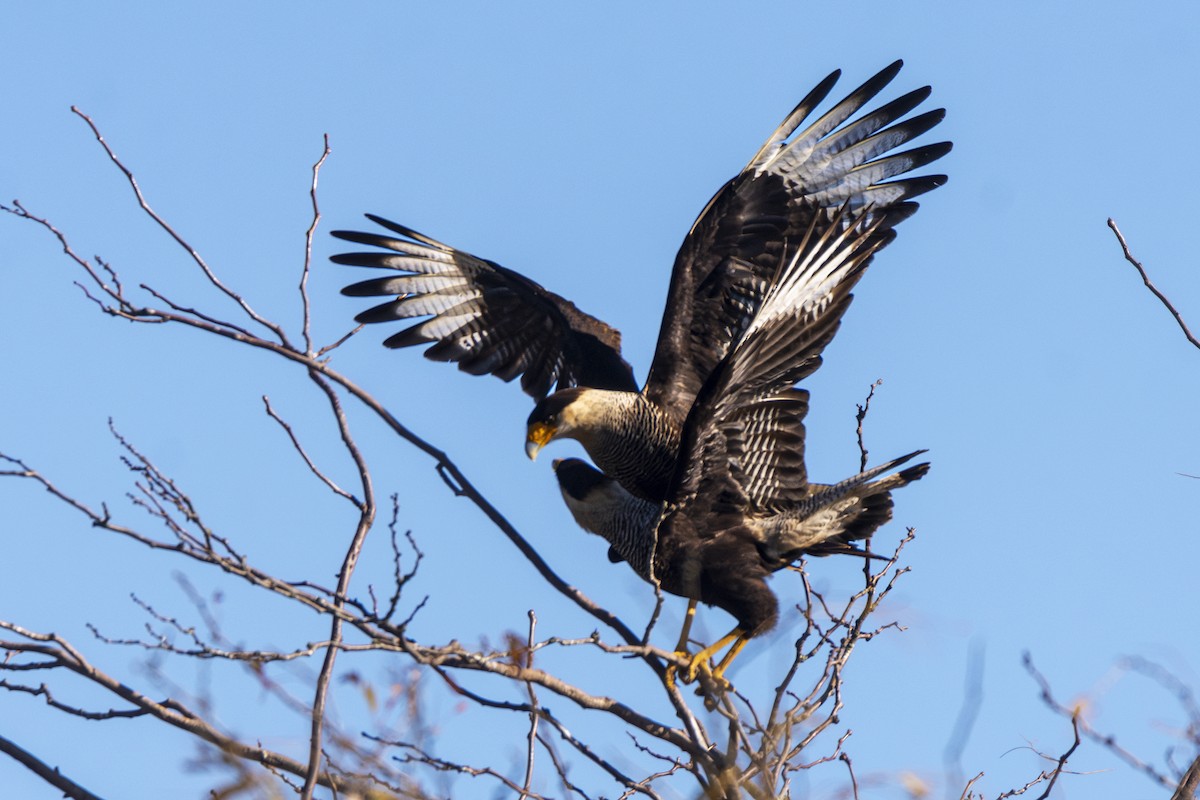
x=719, y=743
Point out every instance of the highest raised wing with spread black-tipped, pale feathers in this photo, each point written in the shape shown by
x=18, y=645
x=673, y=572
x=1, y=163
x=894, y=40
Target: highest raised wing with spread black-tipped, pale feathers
x=796, y=183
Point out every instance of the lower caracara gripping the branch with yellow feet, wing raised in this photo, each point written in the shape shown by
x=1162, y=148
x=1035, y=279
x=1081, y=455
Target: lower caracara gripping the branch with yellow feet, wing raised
x=741, y=506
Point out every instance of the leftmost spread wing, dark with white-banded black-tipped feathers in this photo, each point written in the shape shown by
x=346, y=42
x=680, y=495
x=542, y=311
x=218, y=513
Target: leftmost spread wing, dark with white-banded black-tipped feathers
x=484, y=317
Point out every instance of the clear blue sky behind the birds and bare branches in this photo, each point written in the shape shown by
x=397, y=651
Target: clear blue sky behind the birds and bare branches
x=577, y=143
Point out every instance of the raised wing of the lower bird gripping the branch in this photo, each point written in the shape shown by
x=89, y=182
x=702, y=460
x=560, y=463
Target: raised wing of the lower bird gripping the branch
x=743, y=447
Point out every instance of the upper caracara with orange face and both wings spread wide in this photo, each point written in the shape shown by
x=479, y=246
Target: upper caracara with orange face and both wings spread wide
x=811, y=178
